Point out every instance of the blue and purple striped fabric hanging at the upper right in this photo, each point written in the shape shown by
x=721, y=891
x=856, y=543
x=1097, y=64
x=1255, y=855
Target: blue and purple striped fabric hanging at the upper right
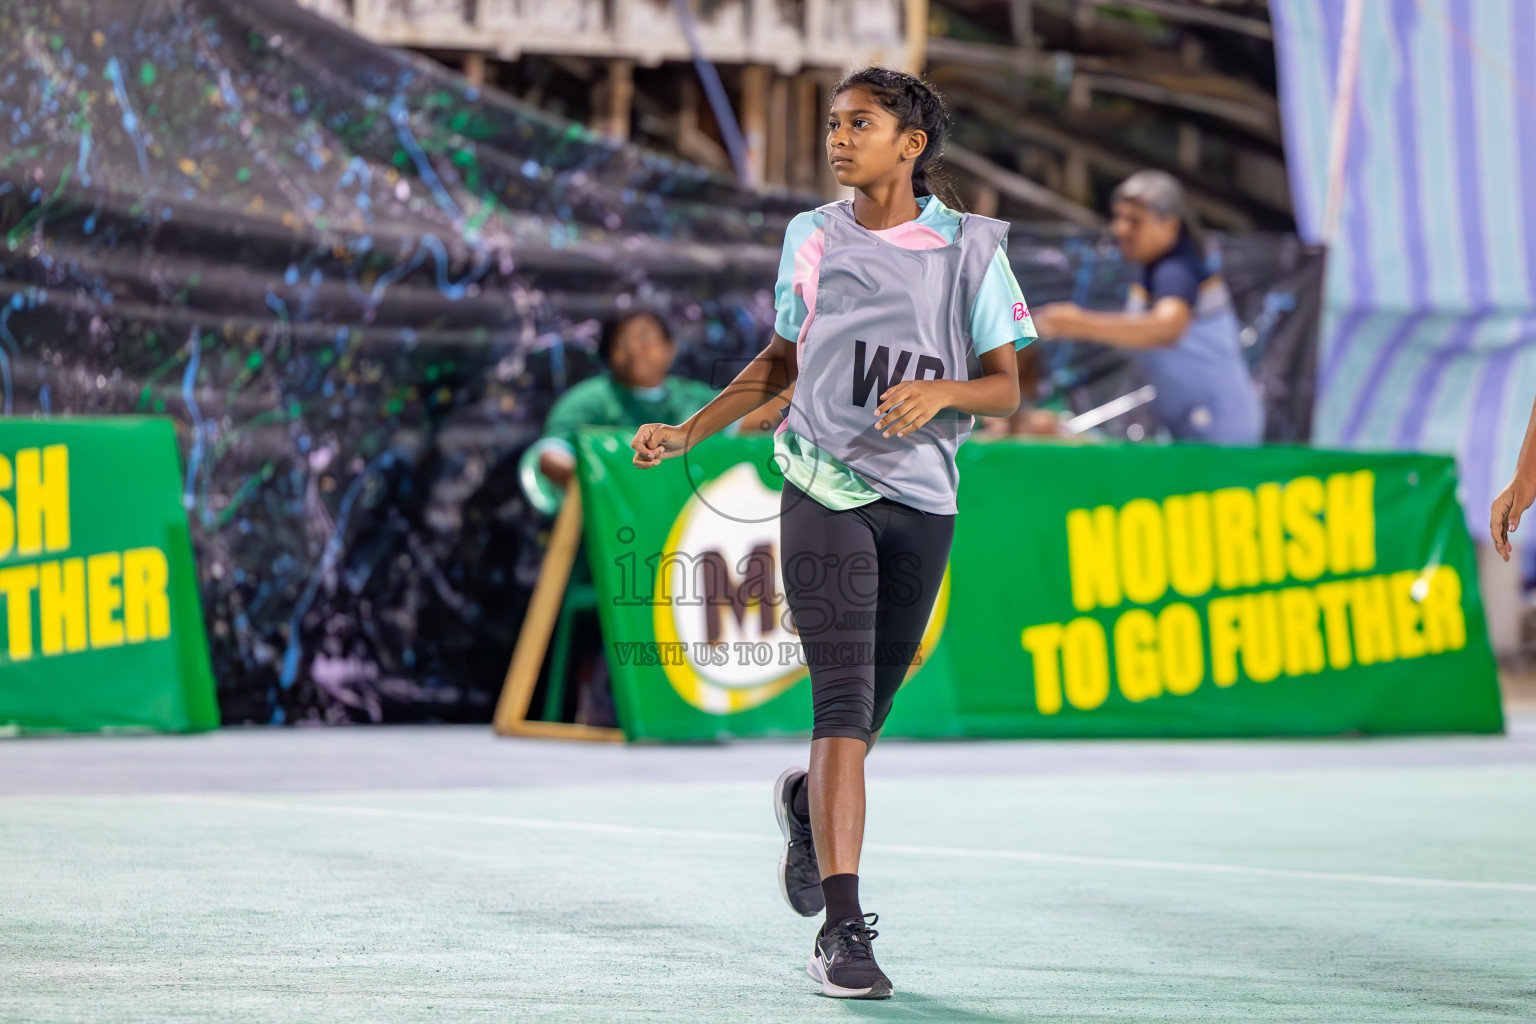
x=1429, y=337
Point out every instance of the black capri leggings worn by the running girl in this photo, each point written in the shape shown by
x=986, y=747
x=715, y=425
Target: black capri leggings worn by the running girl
x=861, y=586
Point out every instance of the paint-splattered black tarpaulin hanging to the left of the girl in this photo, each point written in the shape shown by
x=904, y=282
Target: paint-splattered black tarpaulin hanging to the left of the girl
x=357, y=285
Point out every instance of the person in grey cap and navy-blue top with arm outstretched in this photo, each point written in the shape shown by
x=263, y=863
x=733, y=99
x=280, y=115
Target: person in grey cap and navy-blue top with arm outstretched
x=1179, y=323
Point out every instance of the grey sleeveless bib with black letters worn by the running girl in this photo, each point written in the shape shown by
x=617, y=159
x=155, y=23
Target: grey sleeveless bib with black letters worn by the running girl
x=884, y=315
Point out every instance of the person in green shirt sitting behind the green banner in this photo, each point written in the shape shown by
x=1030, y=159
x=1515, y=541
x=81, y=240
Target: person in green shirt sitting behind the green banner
x=634, y=391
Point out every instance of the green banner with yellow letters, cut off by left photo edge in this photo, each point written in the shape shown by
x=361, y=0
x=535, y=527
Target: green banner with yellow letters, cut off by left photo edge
x=104, y=629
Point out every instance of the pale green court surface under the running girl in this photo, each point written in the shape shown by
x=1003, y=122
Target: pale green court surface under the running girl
x=1331, y=882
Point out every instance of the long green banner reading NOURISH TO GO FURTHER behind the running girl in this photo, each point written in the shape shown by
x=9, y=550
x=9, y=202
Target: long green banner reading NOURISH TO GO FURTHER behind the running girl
x=1091, y=592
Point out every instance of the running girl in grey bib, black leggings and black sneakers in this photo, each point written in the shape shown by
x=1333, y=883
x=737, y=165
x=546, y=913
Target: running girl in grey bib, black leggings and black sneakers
x=884, y=297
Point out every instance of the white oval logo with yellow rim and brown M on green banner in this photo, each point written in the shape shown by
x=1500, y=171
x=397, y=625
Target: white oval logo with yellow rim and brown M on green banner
x=720, y=600
